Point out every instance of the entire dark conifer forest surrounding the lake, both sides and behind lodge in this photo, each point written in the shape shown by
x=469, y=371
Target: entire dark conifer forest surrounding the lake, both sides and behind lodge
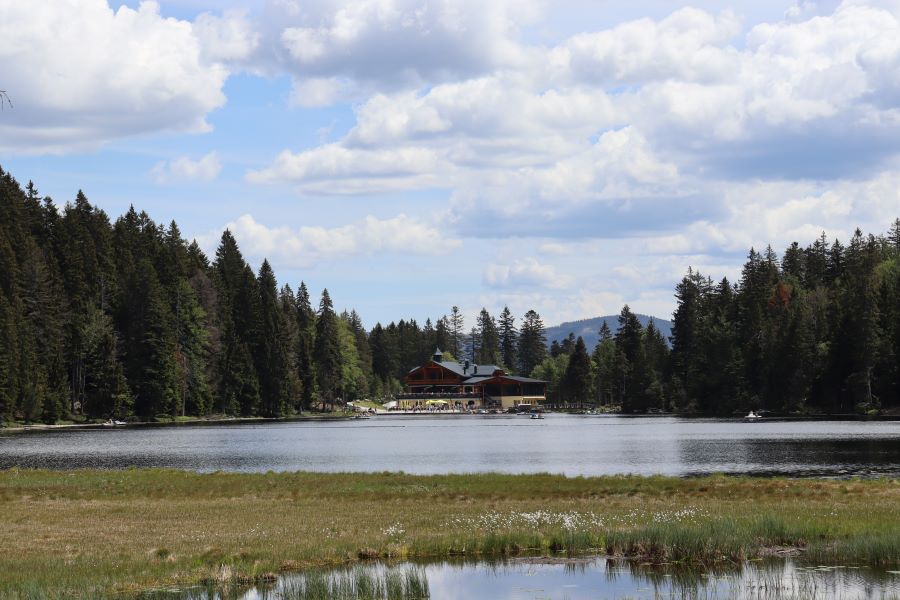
x=103, y=319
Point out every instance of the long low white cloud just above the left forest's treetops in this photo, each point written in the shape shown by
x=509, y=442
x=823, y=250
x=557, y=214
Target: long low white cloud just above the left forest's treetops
x=308, y=246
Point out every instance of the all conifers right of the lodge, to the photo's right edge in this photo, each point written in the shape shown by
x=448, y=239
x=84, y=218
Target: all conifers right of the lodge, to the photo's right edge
x=815, y=330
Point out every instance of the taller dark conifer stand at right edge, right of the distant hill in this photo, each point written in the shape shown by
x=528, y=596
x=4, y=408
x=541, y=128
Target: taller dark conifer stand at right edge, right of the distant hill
x=816, y=329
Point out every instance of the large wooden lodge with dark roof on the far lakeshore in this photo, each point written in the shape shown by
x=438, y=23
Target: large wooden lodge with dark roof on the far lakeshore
x=467, y=386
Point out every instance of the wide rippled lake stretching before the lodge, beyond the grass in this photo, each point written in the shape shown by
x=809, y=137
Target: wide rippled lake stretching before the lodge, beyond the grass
x=569, y=444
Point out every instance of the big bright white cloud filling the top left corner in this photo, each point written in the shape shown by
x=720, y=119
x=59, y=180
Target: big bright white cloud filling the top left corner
x=83, y=74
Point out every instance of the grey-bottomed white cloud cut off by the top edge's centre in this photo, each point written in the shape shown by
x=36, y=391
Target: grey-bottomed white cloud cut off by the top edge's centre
x=397, y=42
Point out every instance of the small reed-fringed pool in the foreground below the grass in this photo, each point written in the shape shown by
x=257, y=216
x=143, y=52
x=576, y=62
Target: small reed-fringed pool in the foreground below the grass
x=589, y=579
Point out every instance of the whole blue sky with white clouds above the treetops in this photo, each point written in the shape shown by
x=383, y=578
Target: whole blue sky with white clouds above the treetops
x=409, y=155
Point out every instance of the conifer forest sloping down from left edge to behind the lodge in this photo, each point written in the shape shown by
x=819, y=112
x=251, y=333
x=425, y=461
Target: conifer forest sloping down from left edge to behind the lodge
x=103, y=319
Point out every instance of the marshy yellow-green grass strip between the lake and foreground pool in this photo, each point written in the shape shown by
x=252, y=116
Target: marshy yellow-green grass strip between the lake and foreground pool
x=86, y=533
